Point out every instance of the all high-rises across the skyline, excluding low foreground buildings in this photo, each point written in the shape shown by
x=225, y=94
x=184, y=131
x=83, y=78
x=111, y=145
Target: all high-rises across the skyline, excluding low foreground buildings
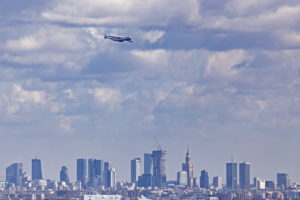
x=98, y=173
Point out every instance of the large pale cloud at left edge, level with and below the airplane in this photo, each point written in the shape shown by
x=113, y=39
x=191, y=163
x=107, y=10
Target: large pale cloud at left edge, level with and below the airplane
x=48, y=45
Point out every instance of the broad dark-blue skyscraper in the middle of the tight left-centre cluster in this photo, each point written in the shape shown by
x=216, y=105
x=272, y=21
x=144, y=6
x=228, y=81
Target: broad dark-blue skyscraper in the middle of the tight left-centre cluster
x=95, y=172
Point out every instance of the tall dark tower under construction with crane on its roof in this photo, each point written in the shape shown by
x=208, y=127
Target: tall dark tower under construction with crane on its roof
x=159, y=168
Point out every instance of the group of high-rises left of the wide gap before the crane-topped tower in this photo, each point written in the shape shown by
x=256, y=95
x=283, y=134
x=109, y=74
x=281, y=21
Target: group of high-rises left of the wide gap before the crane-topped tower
x=90, y=173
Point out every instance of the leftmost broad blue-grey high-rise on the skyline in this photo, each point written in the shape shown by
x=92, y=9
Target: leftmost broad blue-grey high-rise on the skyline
x=14, y=174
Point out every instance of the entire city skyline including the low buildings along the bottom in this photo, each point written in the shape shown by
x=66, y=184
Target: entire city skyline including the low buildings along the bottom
x=148, y=178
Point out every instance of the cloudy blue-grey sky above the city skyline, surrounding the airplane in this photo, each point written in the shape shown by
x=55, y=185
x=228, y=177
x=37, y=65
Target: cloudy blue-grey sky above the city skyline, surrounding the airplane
x=221, y=76
